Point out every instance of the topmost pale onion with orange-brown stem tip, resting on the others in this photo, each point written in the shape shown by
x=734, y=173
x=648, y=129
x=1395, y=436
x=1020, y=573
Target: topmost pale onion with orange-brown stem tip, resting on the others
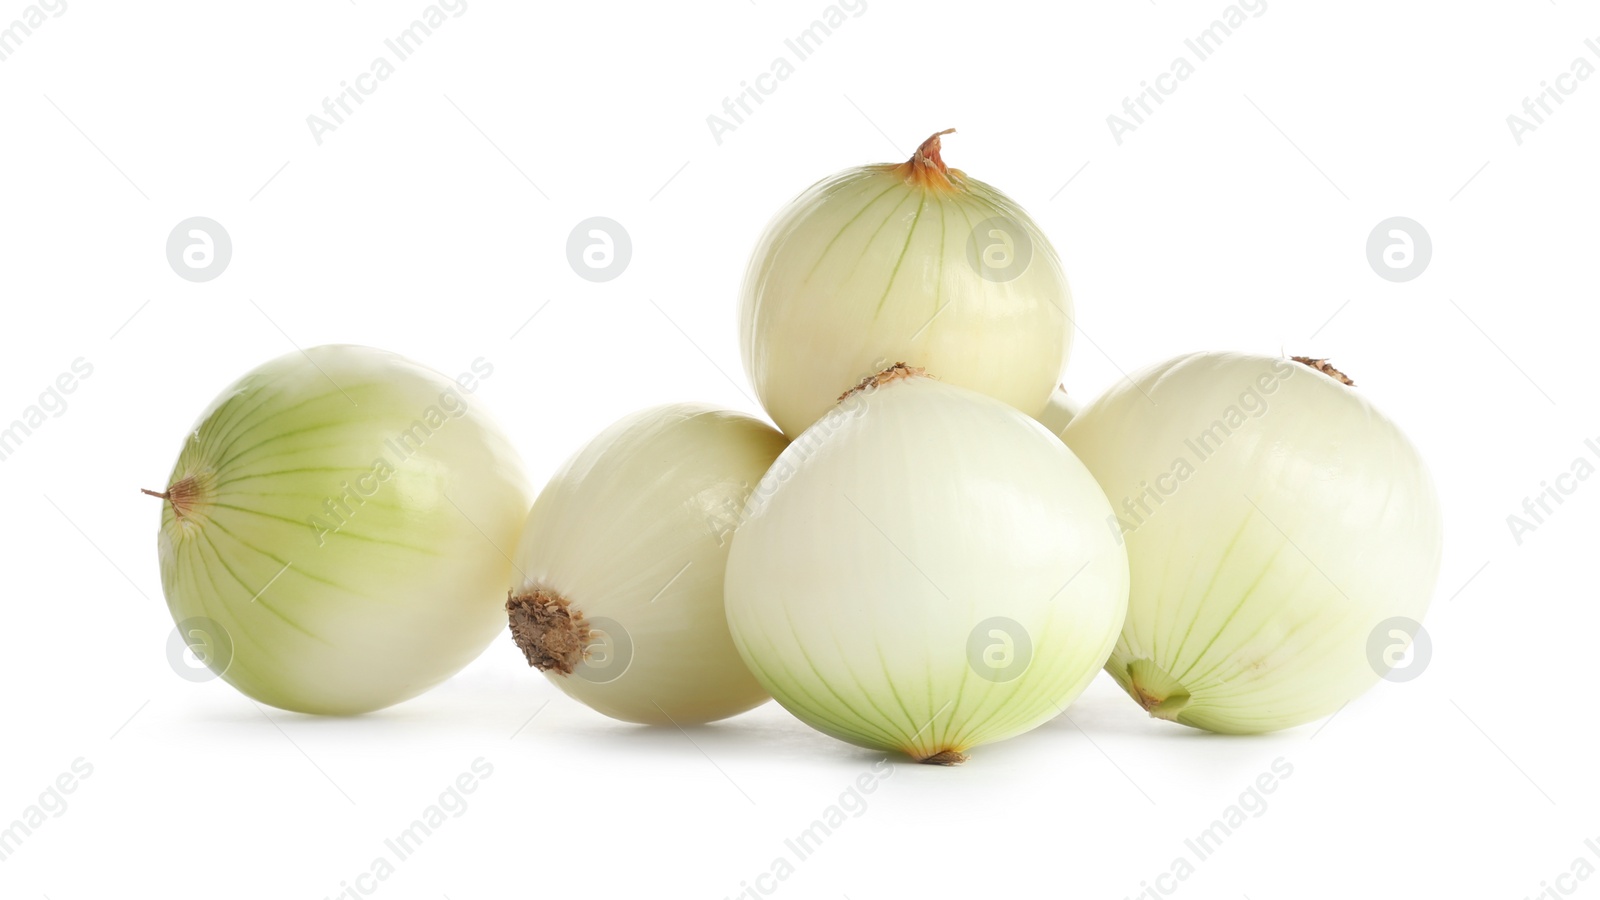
x=911, y=262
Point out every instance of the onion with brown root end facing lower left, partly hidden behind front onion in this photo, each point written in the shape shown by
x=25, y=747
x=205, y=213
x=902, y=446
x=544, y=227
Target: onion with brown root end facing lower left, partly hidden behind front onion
x=620, y=574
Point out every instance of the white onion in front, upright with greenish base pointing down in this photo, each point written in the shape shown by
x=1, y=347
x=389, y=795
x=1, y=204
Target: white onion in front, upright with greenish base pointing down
x=926, y=571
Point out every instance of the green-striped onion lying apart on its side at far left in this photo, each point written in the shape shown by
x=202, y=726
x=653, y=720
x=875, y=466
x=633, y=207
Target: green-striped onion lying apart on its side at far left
x=337, y=515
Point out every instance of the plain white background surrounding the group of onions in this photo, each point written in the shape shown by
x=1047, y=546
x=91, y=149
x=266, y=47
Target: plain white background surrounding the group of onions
x=434, y=223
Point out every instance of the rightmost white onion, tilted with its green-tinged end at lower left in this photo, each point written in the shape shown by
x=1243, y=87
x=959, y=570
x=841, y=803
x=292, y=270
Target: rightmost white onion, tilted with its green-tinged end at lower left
x=1263, y=556
